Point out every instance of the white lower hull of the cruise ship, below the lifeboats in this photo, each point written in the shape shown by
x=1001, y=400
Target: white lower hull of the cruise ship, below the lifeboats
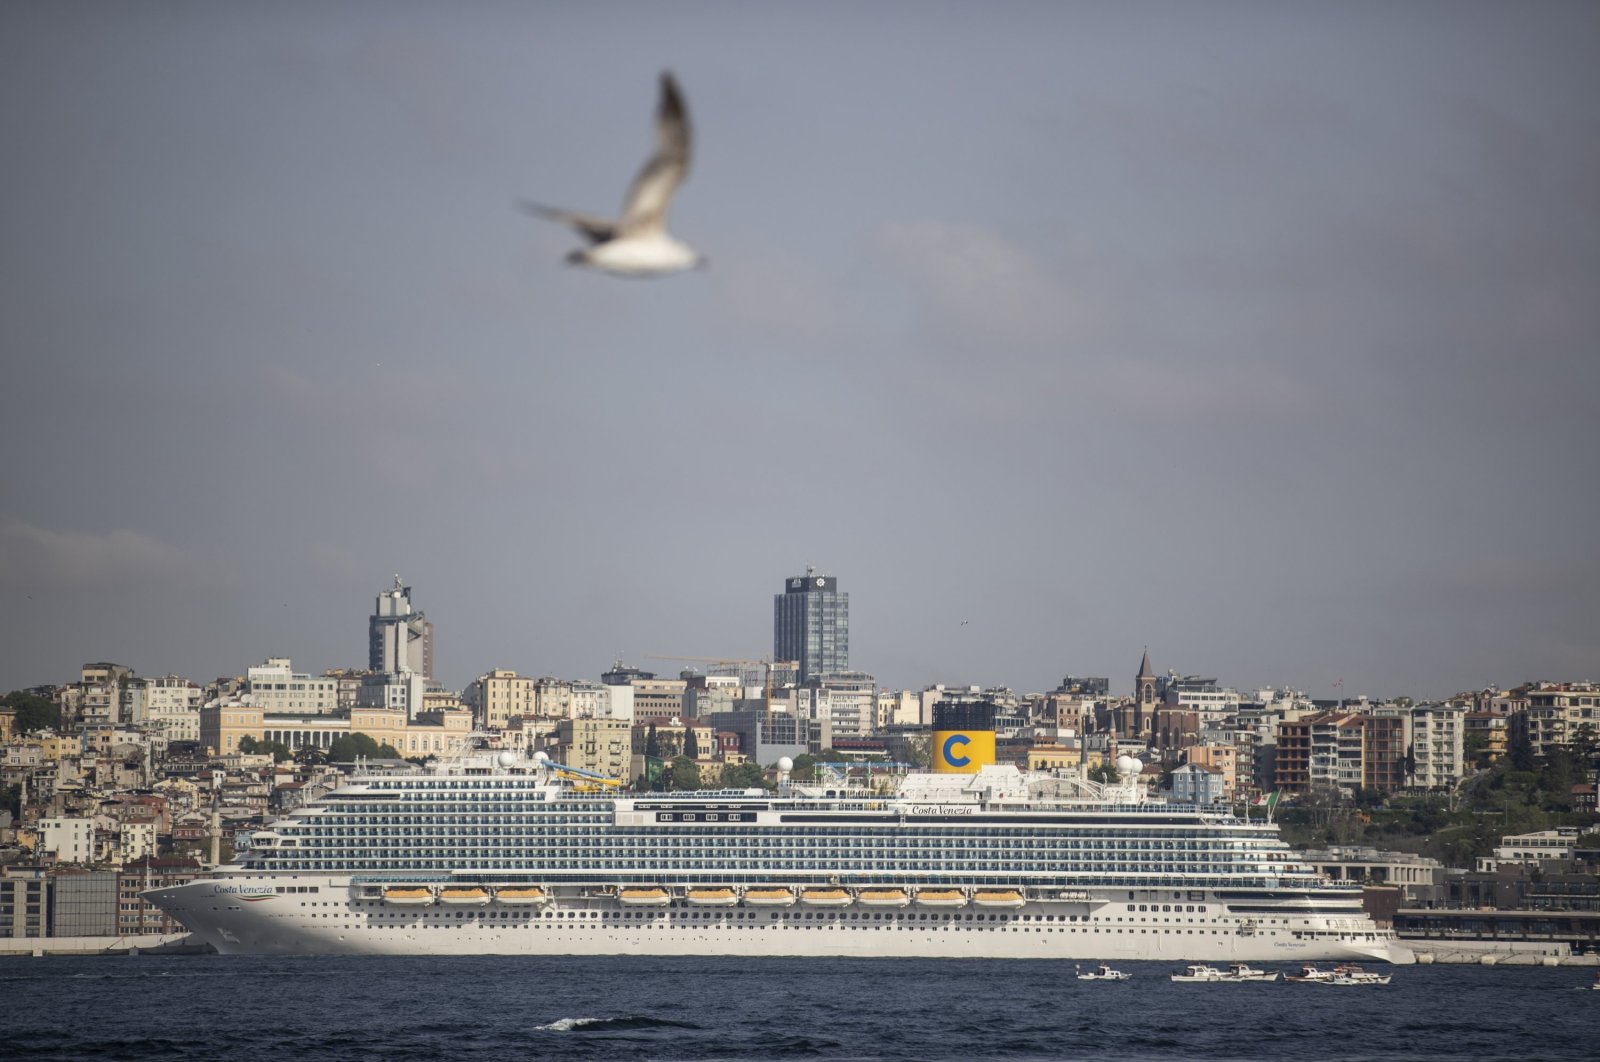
x=241, y=917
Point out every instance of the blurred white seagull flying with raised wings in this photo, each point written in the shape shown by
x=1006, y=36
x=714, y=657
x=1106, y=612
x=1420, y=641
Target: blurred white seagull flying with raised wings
x=639, y=246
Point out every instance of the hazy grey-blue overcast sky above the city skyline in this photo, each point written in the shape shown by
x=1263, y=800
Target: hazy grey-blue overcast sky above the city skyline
x=1262, y=335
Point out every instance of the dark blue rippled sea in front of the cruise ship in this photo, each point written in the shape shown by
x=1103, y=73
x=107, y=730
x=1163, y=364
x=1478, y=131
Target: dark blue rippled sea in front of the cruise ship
x=458, y=1010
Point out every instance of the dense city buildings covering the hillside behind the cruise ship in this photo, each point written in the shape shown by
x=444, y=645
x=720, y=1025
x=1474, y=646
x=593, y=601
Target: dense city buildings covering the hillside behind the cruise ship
x=150, y=777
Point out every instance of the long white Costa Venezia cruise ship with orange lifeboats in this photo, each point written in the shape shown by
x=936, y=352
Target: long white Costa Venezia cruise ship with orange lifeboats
x=505, y=855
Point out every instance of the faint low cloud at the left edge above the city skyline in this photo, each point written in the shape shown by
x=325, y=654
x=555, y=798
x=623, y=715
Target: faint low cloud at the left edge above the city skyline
x=46, y=559
